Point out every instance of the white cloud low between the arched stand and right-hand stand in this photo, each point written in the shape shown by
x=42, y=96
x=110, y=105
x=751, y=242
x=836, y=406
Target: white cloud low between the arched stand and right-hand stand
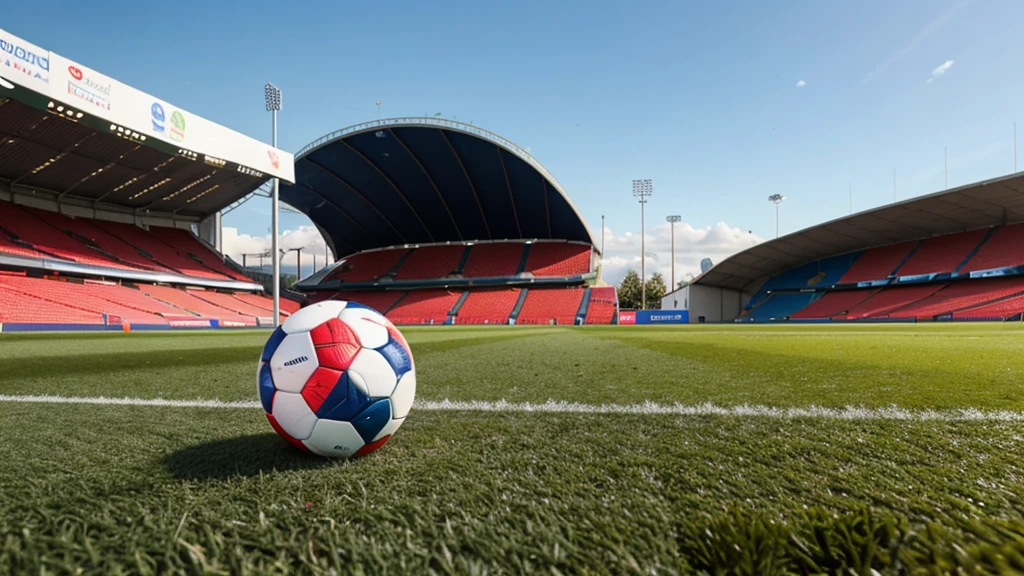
x=622, y=253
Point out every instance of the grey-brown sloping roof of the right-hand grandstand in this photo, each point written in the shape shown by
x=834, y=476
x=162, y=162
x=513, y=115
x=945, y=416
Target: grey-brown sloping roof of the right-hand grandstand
x=1000, y=201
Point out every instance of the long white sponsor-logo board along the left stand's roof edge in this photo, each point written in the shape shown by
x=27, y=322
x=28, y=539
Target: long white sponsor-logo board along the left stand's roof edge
x=90, y=92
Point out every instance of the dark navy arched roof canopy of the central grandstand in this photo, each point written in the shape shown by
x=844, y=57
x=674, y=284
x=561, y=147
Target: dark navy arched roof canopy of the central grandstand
x=424, y=181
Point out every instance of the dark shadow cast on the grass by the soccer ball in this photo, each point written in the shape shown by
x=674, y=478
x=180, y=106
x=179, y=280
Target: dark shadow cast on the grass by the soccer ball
x=244, y=457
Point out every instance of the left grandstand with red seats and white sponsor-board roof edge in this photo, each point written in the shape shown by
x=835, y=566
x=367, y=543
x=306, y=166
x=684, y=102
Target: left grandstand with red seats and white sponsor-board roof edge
x=110, y=204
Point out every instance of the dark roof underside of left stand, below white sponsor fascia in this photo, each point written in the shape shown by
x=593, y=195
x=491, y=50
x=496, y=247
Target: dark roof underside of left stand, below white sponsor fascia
x=42, y=151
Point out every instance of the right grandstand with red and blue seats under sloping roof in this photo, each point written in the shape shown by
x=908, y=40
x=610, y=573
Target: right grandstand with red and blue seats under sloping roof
x=954, y=256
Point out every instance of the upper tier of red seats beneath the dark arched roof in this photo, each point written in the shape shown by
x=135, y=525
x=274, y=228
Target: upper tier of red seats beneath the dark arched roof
x=485, y=261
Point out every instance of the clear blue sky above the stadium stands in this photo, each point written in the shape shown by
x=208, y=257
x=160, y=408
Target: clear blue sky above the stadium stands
x=703, y=98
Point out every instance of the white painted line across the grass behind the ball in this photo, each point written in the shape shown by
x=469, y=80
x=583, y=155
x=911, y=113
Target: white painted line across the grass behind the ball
x=847, y=414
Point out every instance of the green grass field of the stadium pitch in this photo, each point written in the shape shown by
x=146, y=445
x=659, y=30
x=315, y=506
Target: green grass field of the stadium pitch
x=920, y=471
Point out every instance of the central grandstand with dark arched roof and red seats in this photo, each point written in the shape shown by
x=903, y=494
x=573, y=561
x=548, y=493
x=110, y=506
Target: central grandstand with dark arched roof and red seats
x=437, y=222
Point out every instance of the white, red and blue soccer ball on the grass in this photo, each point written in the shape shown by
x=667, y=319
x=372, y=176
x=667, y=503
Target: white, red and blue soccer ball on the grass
x=337, y=380
